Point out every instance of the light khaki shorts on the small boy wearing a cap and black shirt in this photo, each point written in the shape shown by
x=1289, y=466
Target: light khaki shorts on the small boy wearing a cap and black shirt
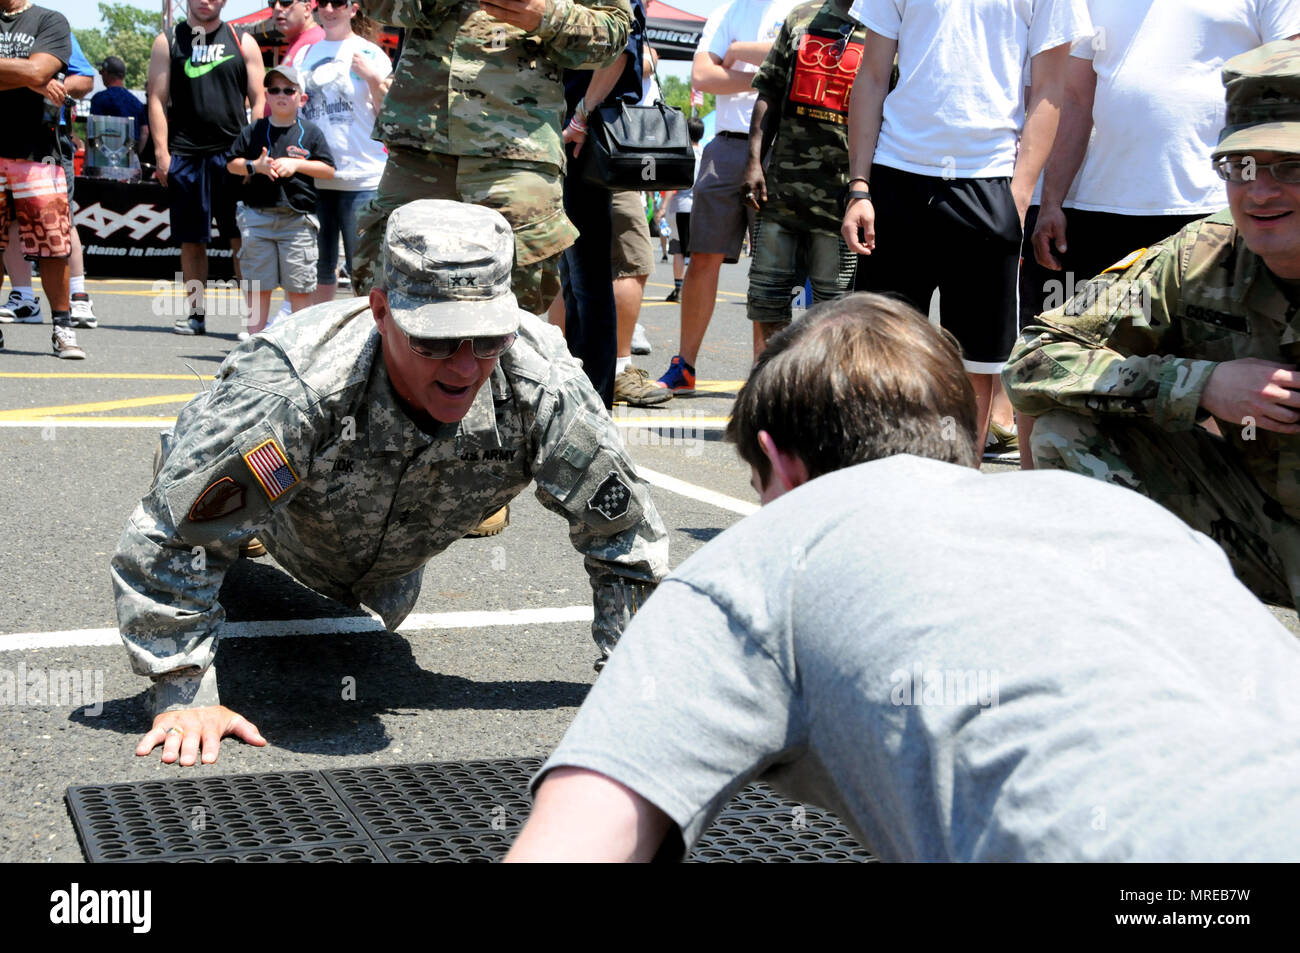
x=279, y=249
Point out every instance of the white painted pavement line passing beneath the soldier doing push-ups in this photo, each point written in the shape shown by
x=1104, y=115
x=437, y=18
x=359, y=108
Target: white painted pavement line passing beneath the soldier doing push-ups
x=418, y=622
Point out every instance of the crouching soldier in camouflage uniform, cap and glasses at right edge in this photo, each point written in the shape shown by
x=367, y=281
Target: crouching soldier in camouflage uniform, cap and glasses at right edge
x=1202, y=326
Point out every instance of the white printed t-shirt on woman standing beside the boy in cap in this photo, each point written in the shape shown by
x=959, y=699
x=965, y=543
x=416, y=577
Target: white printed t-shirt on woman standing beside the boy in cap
x=341, y=105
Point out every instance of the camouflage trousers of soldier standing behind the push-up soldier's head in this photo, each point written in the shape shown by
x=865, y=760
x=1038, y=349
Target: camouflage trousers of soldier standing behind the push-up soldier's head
x=528, y=194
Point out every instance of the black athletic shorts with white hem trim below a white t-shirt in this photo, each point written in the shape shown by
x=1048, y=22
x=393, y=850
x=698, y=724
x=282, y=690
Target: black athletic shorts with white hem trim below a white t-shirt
x=961, y=236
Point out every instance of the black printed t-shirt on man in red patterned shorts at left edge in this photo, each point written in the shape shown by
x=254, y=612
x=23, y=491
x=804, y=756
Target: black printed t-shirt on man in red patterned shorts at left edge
x=36, y=31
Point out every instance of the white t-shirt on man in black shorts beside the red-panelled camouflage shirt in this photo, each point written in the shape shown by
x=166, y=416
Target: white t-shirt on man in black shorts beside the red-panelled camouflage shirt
x=959, y=107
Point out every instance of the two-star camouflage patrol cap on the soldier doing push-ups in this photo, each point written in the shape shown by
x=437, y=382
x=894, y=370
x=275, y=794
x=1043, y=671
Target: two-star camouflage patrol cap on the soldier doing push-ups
x=448, y=268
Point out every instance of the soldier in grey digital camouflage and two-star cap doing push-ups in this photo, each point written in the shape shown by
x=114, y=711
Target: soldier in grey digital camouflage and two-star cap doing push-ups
x=358, y=443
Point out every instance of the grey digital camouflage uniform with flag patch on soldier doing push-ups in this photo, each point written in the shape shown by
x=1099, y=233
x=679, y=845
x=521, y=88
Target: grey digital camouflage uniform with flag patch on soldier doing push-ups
x=302, y=443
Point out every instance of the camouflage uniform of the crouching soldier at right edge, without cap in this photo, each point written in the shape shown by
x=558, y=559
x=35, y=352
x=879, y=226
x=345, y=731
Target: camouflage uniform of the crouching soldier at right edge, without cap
x=1116, y=379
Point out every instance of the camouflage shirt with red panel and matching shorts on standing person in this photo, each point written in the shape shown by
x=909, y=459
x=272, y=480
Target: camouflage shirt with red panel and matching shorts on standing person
x=807, y=80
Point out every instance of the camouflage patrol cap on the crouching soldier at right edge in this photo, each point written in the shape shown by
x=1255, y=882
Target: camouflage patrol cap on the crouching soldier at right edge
x=1263, y=101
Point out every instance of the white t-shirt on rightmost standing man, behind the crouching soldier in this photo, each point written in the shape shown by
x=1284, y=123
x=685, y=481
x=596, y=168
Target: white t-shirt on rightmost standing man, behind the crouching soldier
x=1160, y=99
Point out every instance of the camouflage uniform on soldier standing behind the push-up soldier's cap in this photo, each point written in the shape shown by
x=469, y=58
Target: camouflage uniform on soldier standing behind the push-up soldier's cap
x=475, y=115
